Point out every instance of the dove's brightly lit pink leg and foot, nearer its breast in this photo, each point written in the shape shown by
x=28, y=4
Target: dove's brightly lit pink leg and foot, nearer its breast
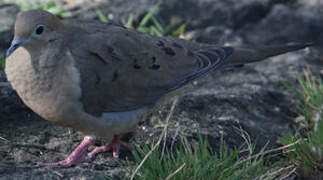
x=74, y=157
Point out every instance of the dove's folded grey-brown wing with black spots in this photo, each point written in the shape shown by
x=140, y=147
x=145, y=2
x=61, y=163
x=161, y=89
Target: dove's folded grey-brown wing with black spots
x=146, y=69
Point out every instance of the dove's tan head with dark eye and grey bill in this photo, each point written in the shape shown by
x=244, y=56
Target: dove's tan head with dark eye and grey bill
x=34, y=28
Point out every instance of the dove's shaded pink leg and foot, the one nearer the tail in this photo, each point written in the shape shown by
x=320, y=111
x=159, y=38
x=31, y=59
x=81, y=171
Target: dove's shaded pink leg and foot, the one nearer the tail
x=114, y=145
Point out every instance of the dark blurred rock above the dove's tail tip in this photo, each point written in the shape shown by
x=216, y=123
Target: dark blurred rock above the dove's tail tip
x=284, y=24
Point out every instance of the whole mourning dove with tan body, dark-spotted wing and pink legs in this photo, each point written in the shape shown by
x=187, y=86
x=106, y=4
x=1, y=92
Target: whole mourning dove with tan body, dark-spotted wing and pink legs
x=101, y=79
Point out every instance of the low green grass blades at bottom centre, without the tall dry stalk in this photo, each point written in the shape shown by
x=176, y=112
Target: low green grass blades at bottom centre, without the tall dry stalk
x=198, y=162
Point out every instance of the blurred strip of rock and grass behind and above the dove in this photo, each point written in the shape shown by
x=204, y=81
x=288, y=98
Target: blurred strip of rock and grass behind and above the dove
x=240, y=22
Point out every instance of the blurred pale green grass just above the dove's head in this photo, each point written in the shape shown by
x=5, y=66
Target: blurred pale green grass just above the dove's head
x=51, y=7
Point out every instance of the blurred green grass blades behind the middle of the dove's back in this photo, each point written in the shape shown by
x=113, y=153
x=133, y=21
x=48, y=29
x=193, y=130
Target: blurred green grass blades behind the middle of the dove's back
x=150, y=23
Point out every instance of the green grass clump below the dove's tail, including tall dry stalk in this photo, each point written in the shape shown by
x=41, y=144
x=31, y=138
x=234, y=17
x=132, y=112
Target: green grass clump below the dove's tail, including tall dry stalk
x=199, y=161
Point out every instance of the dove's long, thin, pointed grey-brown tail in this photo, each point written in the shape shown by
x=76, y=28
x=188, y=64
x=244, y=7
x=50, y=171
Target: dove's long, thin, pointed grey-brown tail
x=248, y=55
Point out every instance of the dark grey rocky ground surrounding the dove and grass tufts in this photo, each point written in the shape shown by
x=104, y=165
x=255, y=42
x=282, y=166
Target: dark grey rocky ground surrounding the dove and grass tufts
x=251, y=98
